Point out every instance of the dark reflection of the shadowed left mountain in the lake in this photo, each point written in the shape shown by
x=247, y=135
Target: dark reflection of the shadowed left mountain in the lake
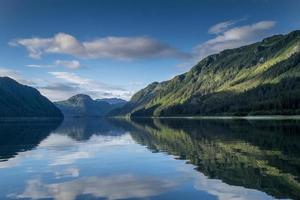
x=18, y=136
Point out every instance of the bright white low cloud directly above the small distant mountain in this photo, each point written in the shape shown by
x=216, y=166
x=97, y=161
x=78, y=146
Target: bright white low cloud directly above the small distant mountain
x=69, y=84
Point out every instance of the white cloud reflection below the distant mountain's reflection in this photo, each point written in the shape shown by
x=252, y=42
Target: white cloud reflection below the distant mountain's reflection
x=63, y=150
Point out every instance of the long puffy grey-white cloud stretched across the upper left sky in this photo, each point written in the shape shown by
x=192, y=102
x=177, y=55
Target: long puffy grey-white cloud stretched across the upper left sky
x=123, y=48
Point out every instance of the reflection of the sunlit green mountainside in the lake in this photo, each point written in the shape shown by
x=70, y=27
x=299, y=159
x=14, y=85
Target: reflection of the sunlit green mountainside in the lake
x=256, y=154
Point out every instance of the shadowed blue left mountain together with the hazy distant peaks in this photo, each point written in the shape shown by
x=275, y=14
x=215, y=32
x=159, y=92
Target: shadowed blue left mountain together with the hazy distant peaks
x=17, y=100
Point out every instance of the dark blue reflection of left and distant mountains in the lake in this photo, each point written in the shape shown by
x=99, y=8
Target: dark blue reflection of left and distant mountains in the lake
x=18, y=136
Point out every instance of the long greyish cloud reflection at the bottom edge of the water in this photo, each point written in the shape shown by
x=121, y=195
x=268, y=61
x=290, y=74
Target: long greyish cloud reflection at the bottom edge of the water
x=110, y=187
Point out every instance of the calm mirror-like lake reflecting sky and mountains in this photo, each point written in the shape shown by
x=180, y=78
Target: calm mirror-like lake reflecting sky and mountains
x=150, y=159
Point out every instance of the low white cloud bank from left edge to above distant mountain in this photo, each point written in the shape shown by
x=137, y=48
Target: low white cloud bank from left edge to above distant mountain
x=67, y=84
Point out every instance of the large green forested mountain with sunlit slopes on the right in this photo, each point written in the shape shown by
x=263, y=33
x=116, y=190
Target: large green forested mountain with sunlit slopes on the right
x=261, y=78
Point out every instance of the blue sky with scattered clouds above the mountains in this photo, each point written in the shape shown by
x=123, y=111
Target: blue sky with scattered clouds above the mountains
x=114, y=48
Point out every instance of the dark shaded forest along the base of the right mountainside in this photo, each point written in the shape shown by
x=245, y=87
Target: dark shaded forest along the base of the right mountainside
x=282, y=98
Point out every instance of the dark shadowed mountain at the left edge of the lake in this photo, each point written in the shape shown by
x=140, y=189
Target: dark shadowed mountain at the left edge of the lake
x=17, y=100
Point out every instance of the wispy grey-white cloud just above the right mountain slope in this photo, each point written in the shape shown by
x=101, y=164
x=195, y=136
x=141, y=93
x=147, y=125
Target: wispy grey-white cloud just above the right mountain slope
x=232, y=37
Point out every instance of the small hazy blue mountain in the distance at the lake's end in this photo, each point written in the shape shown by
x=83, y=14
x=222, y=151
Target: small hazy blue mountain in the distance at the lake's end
x=82, y=105
